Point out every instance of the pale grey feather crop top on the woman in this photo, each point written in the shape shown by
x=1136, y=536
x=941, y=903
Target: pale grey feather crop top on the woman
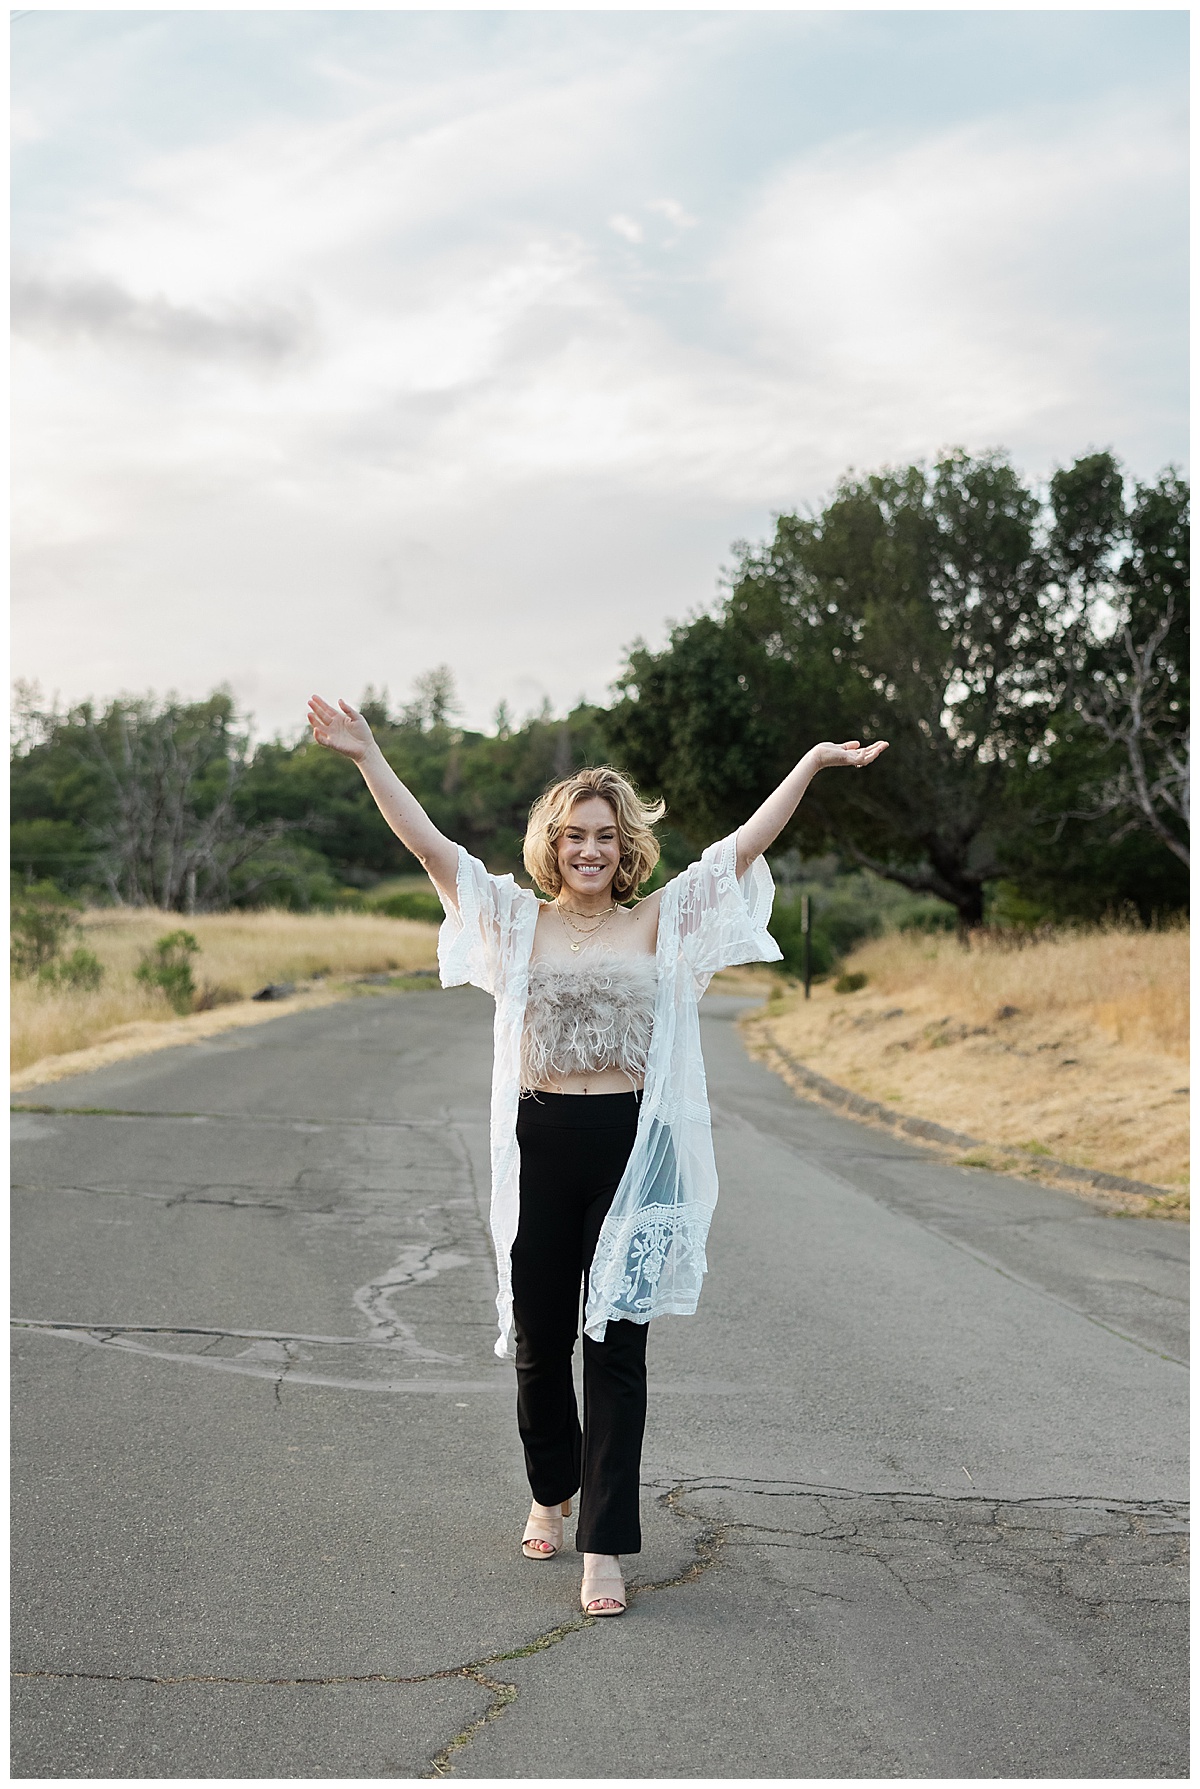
x=586, y=1017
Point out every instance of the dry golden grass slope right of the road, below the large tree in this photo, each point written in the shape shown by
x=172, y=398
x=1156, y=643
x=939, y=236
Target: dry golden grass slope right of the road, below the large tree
x=1074, y=1046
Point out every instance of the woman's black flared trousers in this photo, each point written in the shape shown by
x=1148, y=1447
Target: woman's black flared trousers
x=573, y=1155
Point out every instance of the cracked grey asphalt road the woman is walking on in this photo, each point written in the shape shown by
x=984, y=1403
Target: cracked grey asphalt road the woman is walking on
x=913, y=1482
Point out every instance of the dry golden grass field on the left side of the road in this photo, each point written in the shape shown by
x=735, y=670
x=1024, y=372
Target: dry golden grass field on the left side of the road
x=239, y=954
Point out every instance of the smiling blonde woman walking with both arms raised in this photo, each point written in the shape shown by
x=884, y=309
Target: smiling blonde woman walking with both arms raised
x=602, y=1148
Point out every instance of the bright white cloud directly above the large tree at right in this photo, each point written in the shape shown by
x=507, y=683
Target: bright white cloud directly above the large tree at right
x=959, y=289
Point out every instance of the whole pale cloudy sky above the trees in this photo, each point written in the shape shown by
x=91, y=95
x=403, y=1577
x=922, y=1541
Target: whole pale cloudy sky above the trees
x=359, y=343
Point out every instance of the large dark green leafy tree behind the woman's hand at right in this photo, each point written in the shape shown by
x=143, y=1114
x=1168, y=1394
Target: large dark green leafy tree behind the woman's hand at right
x=943, y=611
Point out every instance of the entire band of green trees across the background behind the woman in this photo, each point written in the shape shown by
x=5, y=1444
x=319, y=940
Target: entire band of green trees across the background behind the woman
x=1024, y=650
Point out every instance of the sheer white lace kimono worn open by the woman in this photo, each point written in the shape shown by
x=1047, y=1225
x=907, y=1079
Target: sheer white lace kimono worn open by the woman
x=650, y=1259
